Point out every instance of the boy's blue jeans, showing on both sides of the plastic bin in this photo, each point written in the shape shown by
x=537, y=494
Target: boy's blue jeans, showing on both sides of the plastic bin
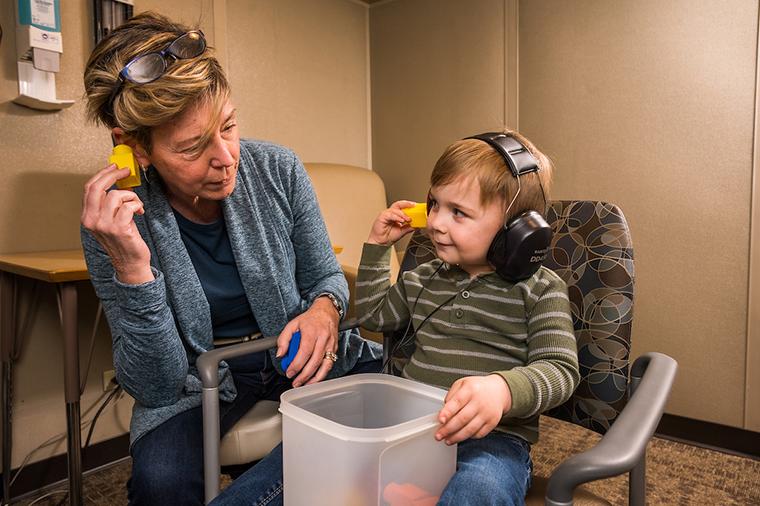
x=494, y=470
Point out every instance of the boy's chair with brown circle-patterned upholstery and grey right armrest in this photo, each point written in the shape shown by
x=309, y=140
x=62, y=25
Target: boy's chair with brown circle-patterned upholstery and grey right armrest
x=591, y=250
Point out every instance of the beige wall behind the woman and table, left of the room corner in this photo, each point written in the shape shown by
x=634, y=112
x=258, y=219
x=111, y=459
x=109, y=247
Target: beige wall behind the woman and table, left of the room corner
x=299, y=73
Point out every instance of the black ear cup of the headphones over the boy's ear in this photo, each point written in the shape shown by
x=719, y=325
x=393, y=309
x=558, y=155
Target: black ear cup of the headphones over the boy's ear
x=518, y=249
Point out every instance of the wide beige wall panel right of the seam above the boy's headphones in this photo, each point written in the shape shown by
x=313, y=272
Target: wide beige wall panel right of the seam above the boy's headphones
x=650, y=105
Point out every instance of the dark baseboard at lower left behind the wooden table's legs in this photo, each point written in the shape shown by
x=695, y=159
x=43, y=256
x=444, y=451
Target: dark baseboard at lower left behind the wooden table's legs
x=54, y=469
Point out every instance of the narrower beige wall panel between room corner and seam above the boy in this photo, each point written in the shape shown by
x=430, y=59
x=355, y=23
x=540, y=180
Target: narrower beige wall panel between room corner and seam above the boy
x=437, y=75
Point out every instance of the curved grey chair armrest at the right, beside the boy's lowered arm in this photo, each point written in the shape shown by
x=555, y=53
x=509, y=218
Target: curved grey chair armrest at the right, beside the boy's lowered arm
x=623, y=446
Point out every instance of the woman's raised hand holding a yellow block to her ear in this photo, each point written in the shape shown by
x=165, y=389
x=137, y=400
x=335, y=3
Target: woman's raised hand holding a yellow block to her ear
x=109, y=215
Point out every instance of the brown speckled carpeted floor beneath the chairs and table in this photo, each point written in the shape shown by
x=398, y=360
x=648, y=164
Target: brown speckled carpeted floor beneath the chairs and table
x=677, y=473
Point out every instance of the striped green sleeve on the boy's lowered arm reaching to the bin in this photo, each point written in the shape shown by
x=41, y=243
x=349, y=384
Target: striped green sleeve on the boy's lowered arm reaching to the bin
x=551, y=373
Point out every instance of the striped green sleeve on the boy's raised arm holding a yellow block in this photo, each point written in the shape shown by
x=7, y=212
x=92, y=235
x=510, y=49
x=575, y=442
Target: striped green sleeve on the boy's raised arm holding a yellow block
x=379, y=306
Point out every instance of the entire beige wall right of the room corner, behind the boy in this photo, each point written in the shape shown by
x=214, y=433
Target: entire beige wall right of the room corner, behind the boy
x=646, y=104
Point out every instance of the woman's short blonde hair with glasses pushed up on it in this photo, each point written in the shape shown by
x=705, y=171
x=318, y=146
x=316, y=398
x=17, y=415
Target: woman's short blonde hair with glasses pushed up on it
x=137, y=108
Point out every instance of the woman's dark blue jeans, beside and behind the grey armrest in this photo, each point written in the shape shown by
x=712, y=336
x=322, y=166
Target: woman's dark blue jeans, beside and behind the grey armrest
x=167, y=462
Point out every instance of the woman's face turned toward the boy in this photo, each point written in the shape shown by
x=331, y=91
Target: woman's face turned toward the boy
x=191, y=167
